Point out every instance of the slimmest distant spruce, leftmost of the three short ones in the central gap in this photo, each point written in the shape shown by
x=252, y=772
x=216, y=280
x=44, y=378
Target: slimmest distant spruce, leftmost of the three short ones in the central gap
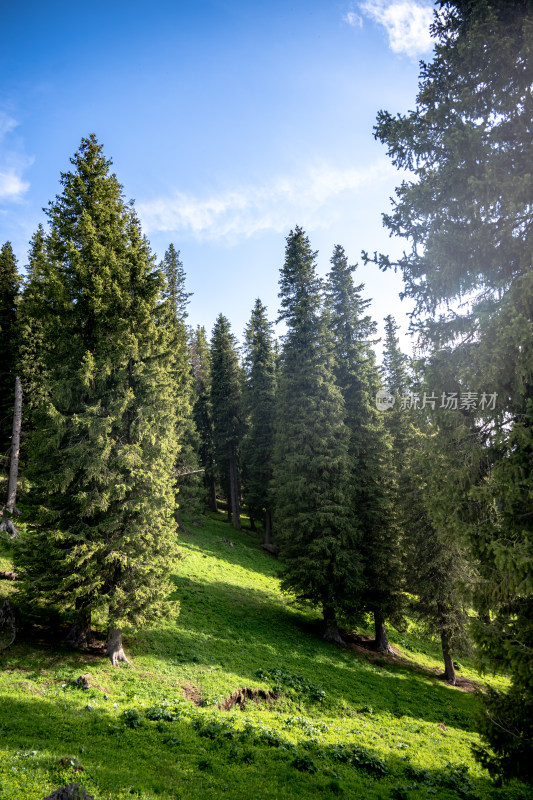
x=203, y=412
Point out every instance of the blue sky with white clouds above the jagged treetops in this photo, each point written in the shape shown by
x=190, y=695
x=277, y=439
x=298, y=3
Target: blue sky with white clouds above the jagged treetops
x=228, y=122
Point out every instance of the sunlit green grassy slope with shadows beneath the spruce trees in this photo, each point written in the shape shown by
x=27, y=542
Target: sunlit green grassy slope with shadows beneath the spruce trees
x=238, y=697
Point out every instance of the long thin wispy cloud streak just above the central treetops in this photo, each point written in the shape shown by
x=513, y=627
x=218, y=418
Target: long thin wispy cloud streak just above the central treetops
x=313, y=200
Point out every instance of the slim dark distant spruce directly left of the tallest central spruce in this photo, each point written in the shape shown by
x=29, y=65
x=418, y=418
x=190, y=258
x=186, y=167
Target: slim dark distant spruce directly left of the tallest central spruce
x=260, y=395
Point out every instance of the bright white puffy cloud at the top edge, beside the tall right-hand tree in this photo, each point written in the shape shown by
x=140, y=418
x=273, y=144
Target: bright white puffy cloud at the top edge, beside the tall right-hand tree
x=406, y=22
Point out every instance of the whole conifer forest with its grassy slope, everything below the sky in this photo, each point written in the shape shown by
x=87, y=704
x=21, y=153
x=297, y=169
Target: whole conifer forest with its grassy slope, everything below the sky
x=251, y=564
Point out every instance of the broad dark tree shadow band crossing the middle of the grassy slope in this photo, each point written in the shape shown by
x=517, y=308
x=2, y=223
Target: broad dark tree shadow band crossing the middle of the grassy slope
x=237, y=630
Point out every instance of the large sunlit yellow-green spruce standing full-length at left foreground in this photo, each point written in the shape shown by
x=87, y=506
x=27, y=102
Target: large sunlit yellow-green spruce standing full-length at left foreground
x=102, y=453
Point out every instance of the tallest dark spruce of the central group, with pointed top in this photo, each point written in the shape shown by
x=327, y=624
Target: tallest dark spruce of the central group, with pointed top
x=318, y=537
